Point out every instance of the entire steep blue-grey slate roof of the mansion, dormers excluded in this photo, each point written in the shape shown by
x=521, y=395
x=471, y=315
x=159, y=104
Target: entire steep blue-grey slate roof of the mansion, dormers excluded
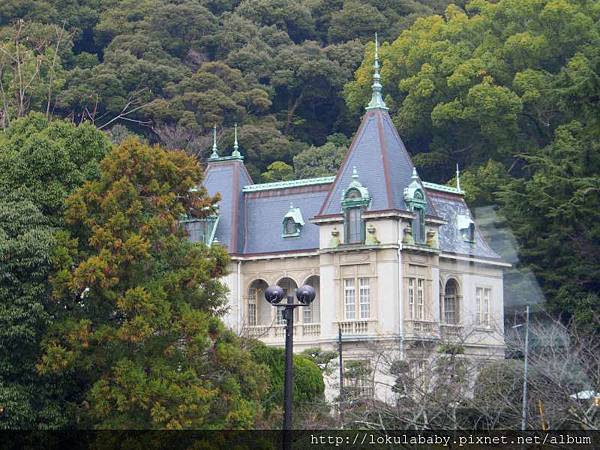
x=251, y=215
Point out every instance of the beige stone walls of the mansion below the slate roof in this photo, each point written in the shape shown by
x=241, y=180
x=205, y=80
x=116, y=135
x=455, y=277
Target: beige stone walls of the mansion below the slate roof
x=389, y=327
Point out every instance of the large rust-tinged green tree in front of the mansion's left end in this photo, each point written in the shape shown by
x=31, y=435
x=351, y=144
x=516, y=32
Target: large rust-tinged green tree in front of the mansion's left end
x=137, y=304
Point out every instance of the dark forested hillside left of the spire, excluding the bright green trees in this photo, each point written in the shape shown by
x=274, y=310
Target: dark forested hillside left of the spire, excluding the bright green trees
x=170, y=70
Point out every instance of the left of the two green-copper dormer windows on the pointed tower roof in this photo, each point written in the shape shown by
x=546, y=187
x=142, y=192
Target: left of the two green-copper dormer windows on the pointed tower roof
x=355, y=201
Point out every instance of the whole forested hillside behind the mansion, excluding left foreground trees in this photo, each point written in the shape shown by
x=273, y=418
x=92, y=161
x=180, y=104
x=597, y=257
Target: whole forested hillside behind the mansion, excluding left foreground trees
x=510, y=90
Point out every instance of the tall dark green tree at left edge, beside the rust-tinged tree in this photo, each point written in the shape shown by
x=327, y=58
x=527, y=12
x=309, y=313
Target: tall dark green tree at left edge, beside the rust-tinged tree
x=41, y=163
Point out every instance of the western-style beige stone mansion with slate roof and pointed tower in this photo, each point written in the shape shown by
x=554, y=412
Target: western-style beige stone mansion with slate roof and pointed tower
x=398, y=263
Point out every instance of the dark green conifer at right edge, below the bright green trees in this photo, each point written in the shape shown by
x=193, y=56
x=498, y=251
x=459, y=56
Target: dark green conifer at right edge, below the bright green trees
x=554, y=214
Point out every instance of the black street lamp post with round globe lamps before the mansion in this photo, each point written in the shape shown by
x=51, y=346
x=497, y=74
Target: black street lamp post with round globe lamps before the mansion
x=274, y=295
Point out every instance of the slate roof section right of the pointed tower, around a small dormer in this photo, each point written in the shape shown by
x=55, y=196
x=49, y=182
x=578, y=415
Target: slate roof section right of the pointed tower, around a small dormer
x=450, y=207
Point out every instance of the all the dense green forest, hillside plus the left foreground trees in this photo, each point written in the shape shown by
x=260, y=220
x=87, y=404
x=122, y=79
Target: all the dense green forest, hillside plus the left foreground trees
x=508, y=89
